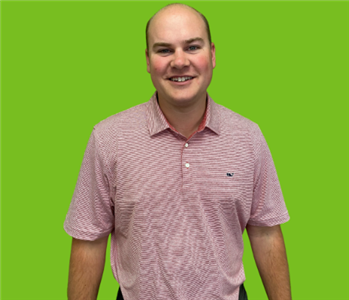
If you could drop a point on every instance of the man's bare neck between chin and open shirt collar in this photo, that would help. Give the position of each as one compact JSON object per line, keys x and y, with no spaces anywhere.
{"x":185,"y":119}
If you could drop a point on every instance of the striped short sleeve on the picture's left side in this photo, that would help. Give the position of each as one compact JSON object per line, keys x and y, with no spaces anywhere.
{"x":91,"y":213}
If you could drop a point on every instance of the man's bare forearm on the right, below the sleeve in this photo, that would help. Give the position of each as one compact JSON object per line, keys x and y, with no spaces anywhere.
{"x":270,"y":255}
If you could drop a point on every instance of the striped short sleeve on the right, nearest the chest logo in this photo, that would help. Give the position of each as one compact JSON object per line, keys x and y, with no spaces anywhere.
{"x":268,"y":205}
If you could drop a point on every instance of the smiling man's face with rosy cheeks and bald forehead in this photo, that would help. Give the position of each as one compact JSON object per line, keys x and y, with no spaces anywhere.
{"x":179,"y":47}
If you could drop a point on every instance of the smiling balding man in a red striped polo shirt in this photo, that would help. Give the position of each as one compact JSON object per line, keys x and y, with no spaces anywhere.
{"x":176,"y":181}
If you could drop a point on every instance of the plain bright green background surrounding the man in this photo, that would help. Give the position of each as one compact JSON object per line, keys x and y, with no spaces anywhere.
{"x":66,"y":65}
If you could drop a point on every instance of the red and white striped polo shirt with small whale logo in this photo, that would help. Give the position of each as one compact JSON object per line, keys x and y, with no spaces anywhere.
{"x":176,"y":208}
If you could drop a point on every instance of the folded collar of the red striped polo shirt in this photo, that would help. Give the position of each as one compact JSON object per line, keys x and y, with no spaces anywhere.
{"x":157,"y":121}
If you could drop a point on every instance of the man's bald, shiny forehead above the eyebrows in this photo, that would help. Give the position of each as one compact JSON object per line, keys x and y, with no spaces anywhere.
{"x":176,"y":25}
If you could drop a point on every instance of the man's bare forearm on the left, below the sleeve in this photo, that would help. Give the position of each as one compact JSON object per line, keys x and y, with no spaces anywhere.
{"x":86,"y":268}
